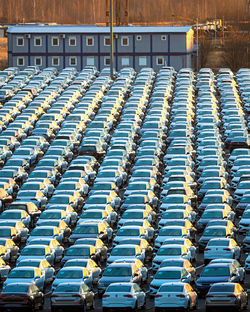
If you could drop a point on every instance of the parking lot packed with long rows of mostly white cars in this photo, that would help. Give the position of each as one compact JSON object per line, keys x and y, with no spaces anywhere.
{"x":143,"y":180}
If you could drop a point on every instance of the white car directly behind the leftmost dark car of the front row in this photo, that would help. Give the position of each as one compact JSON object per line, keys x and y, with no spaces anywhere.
{"x":26,"y":274}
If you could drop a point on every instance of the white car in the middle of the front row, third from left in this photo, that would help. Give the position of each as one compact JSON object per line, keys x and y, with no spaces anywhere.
{"x":123,"y":295}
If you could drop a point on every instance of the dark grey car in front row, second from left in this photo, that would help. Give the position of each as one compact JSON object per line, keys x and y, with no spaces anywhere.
{"x":72,"y":295}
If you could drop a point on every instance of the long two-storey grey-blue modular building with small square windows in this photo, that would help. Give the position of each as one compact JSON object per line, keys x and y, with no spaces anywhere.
{"x":79,"y":45}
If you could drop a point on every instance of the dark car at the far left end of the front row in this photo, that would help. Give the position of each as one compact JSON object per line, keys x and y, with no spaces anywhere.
{"x":21,"y":295}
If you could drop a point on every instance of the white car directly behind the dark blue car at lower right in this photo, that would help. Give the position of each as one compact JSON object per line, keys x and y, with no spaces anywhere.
{"x":224,"y":247}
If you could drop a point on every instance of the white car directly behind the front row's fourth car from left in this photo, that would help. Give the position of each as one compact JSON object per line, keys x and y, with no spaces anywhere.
{"x":168,"y":275}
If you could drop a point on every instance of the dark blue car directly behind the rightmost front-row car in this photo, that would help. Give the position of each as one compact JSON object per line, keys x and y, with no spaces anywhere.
{"x":216,"y":273}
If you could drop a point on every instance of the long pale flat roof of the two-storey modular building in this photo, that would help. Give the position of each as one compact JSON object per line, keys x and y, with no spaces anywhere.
{"x":45,"y":29}
